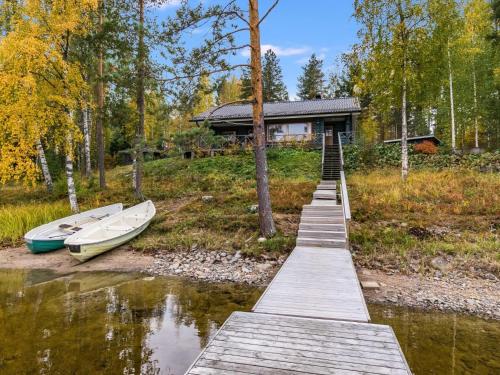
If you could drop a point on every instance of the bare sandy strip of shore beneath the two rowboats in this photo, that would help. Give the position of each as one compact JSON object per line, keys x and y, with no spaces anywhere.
{"x":60,"y":261}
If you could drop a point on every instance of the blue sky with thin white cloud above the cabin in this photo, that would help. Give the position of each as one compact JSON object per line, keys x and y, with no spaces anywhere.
{"x":296,"y":29}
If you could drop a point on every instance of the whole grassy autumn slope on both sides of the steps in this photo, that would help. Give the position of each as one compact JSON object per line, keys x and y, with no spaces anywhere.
{"x":450,"y":213}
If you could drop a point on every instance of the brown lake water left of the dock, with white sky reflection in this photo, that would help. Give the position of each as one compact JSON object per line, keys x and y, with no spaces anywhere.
{"x":93,"y":323}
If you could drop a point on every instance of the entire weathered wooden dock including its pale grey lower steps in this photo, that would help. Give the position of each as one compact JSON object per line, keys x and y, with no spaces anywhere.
{"x":312,"y":318}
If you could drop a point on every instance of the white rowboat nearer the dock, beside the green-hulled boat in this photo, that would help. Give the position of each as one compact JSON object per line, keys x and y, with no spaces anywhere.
{"x":110,"y":232}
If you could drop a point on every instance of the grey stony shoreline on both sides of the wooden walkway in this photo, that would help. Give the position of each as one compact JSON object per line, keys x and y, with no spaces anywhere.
{"x":453,"y":292}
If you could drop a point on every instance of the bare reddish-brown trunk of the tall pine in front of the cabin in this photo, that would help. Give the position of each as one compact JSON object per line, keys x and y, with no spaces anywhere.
{"x":266,"y":221}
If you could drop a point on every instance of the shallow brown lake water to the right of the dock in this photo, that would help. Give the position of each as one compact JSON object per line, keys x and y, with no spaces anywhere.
{"x":436,"y":343}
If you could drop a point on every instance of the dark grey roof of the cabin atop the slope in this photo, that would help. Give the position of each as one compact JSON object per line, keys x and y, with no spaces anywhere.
{"x":323,"y":107}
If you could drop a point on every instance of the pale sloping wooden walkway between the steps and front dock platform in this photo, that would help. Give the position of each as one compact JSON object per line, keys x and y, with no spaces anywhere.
{"x":308,"y":270}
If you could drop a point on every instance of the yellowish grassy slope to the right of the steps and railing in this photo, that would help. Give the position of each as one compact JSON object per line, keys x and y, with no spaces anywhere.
{"x":448,"y":213}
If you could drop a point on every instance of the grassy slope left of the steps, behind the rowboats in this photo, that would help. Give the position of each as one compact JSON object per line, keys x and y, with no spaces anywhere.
{"x":176,"y":186}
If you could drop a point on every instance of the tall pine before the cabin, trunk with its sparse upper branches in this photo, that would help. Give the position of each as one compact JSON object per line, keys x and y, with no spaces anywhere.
{"x":226,"y":21}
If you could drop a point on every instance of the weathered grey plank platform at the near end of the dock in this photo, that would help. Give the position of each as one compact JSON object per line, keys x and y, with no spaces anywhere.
{"x":232,"y":352}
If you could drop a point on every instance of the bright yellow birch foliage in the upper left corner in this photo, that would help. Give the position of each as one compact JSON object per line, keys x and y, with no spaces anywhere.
{"x":40,"y":84}
